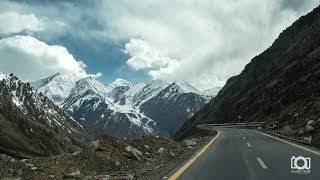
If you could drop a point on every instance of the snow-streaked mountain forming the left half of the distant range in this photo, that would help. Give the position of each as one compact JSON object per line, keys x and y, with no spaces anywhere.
{"x":89,"y":102}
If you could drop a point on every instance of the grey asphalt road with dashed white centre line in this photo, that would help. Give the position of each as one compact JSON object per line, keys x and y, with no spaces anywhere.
{"x":243,"y":154}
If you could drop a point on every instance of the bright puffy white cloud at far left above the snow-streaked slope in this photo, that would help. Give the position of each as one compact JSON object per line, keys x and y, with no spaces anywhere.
{"x":31,"y":59}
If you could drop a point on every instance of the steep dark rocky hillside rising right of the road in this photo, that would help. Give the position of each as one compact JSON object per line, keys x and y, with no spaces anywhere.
{"x":280,"y":86}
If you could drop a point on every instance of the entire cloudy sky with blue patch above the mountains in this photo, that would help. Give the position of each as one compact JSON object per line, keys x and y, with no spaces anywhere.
{"x":202,"y":42}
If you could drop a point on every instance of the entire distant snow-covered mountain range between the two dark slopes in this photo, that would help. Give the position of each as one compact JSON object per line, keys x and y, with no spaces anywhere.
{"x":123,"y":109}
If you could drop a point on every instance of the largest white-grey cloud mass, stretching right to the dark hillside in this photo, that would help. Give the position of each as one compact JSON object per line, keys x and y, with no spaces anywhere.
{"x":204,"y":42}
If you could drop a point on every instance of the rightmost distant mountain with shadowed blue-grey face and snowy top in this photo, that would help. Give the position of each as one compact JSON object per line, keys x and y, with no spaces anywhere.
{"x":172,"y":106}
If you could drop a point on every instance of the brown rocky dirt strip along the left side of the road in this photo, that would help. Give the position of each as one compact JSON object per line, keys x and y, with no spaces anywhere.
{"x":112,"y":158}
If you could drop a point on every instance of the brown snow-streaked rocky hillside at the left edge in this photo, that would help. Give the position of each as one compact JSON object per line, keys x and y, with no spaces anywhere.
{"x":30,"y":124}
